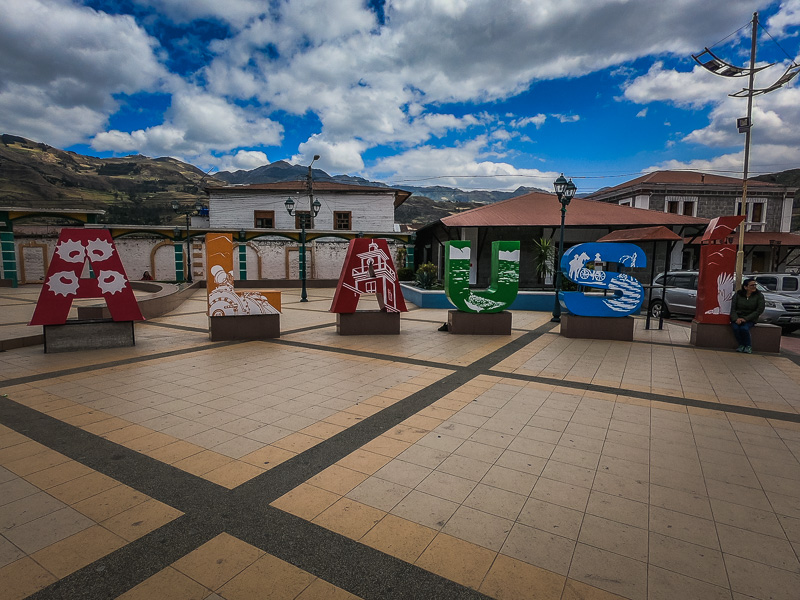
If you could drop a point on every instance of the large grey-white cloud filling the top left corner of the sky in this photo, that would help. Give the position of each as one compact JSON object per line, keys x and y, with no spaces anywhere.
{"x":60,"y":66}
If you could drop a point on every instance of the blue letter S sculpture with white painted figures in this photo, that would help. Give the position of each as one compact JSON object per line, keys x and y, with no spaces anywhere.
{"x":628,"y":292}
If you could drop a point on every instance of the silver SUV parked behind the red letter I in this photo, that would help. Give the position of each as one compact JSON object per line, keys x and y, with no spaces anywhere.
{"x":681,"y":299}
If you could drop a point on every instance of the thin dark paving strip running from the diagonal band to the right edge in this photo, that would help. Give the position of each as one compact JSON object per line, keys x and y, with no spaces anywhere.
{"x":718,"y":406}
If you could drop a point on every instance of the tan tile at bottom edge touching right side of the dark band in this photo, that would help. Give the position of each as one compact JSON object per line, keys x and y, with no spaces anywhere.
{"x":511,"y":579}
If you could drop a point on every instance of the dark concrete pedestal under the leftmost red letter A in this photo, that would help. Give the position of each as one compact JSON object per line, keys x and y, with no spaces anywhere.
{"x":88,"y":335}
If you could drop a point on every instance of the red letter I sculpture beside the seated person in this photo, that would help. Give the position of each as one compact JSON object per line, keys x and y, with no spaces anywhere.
{"x":717,"y":265}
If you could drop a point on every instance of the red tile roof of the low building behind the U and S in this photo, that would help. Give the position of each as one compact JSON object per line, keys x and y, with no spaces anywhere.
{"x":539,"y":209}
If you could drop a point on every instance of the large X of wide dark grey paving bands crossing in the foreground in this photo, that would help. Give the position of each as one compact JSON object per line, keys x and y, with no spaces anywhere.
{"x":359,"y":569}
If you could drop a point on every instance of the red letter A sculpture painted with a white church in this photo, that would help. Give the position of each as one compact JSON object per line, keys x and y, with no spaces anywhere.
{"x":368,"y":269}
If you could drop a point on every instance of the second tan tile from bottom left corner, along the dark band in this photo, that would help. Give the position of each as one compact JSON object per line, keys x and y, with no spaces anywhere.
{"x":77,"y":551}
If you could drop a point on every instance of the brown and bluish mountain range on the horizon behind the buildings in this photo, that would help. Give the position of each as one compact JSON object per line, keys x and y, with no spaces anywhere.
{"x":137,"y":189}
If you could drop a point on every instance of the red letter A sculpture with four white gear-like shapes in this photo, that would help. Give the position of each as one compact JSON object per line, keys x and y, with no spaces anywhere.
{"x":63,"y":282}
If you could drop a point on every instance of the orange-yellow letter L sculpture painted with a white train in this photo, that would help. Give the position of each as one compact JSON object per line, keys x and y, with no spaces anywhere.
{"x":223,"y":299}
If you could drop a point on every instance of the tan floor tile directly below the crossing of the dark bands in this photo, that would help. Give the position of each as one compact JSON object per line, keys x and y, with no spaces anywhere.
{"x":218,"y":561}
